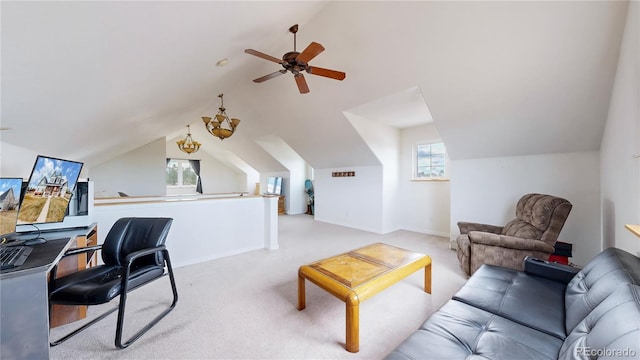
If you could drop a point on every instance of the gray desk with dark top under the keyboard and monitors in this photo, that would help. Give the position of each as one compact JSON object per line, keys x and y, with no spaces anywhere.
{"x":24,"y":300}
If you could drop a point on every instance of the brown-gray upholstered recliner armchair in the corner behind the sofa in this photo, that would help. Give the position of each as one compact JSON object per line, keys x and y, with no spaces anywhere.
{"x":534,"y":232}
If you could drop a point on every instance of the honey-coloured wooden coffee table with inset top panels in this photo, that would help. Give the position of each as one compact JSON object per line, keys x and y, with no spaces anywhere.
{"x":358,"y":275}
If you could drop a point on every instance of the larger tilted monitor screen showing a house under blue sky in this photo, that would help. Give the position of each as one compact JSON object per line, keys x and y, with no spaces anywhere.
{"x":49,"y":190}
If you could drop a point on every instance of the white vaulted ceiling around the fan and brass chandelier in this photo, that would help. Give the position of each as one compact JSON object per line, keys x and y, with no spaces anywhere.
{"x":92,"y":80}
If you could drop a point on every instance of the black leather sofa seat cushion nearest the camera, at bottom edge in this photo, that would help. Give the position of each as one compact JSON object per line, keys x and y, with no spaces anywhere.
{"x":461,"y":331}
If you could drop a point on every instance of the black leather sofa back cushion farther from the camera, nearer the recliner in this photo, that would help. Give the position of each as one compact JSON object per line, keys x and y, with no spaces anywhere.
{"x":599,"y":278}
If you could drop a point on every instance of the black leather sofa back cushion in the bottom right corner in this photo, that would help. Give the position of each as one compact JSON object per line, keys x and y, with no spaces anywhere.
{"x":611,"y":330}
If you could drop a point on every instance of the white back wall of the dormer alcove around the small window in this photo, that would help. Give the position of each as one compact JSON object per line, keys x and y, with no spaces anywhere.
{"x":424,"y":206}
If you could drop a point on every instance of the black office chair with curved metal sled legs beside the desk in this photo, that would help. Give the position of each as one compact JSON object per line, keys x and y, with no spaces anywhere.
{"x":134,"y":255}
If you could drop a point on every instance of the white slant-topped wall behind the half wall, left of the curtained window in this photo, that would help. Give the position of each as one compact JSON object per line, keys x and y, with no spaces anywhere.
{"x":140,"y":172}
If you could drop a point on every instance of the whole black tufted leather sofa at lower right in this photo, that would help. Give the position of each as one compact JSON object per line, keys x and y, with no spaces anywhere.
{"x":547,"y":311}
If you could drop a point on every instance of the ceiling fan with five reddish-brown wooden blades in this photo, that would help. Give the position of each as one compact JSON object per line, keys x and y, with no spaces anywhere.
{"x":297,"y":63}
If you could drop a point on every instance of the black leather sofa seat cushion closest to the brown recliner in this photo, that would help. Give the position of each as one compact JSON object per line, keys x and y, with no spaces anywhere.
{"x":529,"y":300}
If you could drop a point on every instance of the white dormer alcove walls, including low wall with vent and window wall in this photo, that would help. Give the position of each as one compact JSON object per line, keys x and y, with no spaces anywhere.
{"x":384,"y":199}
